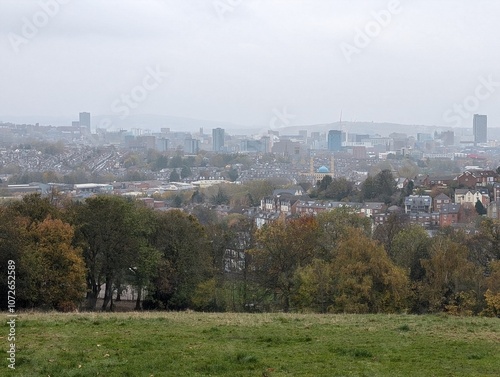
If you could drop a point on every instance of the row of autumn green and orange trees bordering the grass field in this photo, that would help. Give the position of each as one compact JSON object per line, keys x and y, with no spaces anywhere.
{"x":66,"y":255}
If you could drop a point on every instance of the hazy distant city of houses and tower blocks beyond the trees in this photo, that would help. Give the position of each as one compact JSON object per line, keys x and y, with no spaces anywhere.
{"x":139,"y":162}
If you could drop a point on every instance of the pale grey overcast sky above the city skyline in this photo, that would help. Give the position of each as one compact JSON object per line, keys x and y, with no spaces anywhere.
{"x":432,"y":62}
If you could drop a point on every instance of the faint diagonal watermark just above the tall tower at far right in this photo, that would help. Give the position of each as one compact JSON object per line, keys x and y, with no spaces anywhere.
{"x":470,"y":104}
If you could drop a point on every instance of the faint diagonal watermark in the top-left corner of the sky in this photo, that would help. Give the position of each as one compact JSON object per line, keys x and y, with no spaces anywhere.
{"x":31,"y":26}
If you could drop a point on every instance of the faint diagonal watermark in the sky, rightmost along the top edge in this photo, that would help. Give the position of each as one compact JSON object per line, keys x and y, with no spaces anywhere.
{"x":373,"y":28}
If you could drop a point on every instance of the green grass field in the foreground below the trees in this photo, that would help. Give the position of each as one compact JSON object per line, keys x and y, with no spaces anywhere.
{"x":200,"y":344}
